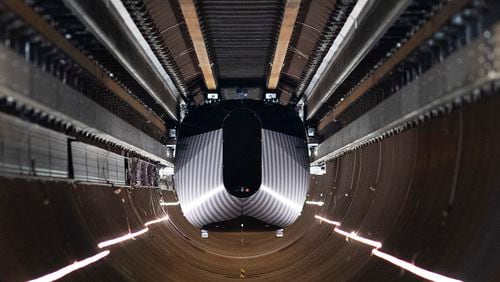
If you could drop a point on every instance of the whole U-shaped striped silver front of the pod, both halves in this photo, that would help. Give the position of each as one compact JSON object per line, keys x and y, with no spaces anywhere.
{"x":201,"y":191}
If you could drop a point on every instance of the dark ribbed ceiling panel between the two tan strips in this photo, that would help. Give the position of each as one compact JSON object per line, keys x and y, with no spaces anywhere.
{"x":241,"y":37}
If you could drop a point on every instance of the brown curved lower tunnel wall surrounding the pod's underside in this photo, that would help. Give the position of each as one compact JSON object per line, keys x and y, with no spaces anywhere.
{"x":429,"y":194}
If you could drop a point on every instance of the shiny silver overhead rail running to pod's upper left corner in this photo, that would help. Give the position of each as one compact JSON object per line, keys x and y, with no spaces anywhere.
{"x":110,"y":22}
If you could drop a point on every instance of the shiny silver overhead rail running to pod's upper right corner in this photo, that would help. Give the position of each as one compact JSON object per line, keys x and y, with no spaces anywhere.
{"x":368,"y":22}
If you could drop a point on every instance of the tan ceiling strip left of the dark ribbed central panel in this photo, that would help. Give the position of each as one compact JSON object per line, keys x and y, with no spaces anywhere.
{"x":193,"y":24}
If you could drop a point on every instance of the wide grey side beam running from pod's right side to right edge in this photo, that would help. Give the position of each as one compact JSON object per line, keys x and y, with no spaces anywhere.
{"x":476,"y":68}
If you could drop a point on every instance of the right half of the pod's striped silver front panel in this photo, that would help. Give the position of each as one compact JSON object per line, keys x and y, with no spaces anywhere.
{"x":285,"y":179}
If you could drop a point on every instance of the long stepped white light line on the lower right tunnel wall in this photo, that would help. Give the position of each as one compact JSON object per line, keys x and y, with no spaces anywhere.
{"x":429,"y":275}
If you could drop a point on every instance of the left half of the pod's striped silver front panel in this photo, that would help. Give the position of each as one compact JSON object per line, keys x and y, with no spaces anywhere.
{"x":199,"y":181}
